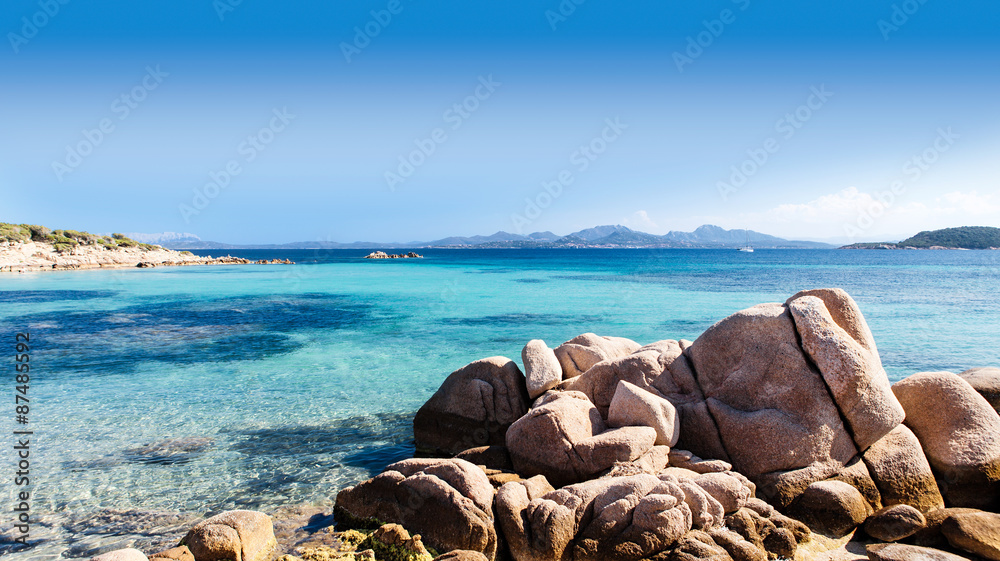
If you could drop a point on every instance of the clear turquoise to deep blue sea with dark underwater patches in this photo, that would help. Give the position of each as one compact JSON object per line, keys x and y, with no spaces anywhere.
{"x":188,"y":390}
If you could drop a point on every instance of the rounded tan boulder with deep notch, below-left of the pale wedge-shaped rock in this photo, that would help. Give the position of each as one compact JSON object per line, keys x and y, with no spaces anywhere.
{"x":565,"y":439}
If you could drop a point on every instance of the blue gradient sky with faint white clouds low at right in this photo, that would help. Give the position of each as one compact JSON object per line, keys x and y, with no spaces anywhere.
{"x":249,"y":121}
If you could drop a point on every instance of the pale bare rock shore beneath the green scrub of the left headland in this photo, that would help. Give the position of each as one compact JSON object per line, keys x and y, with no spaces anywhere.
{"x":31,"y":256}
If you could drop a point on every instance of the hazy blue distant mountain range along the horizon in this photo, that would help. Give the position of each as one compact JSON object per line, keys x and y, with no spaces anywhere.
{"x":705,"y":237}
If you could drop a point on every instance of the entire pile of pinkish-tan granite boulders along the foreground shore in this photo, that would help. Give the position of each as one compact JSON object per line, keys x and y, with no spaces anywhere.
{"x":775,"y":435}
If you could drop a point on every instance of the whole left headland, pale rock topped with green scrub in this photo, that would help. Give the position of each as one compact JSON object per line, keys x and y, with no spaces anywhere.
{"x":28,"y":247}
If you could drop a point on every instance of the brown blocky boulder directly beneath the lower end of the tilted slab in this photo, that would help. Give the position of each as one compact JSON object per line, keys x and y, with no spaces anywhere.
{"x":901,"y":472}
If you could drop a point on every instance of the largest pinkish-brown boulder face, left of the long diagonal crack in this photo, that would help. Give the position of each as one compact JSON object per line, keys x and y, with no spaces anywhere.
{"x":772,"y":407}
